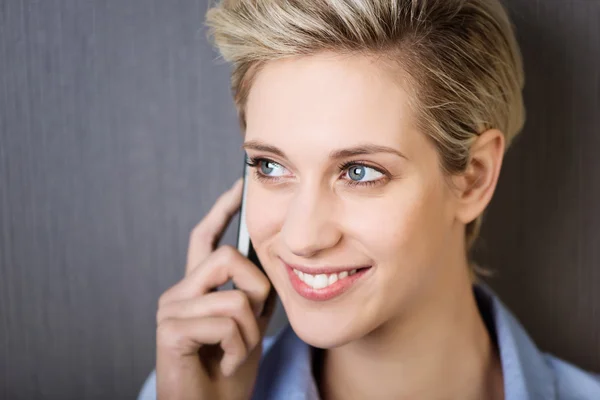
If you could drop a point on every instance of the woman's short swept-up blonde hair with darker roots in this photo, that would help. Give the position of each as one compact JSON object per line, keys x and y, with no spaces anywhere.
{"x":460,"y":58}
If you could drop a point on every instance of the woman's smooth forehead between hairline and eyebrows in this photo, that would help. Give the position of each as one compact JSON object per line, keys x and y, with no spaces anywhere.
{"x":339,"y":100}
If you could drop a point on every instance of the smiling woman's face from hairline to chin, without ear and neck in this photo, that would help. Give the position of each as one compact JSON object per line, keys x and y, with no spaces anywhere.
{"x":386,"y":206}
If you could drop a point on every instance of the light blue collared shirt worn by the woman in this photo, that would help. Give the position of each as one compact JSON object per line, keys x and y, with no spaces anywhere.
{"x":285,"y":370}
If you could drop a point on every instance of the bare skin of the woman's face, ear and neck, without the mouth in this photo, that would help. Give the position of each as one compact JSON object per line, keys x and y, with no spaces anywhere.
{"x":410,"y":328}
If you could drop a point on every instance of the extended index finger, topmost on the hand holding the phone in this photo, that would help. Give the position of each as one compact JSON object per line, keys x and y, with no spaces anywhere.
{"x":206,"y":234}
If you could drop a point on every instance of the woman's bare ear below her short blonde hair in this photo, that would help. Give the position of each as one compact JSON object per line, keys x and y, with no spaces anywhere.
{"x":475,"y":187}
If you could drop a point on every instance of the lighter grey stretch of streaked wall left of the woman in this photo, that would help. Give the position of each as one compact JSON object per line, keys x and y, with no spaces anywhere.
{"x":117,"y":135}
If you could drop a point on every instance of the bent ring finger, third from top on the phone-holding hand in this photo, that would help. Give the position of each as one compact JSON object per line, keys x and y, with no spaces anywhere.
{"x":227,"y":303}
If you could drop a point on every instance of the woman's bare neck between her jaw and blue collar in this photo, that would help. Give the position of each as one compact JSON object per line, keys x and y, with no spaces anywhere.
{"x":441,"y":351}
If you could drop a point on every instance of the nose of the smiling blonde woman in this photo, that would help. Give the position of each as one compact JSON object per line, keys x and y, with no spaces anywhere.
{"x":310,"y":225}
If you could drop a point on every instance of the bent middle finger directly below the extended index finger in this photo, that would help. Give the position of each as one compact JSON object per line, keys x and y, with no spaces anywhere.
{"x":224,"y":264}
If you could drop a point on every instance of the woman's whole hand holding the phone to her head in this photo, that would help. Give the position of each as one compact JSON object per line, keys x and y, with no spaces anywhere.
{"x":208,"y":342}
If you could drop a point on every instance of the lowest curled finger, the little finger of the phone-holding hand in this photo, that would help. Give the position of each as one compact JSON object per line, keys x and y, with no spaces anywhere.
{"x":182,"y":338}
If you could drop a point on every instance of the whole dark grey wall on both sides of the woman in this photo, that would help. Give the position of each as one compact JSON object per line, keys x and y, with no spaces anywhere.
{"x":117,"y":133}
